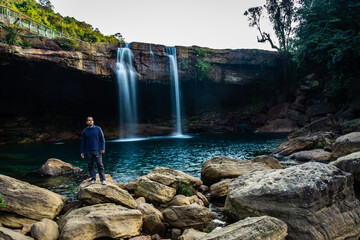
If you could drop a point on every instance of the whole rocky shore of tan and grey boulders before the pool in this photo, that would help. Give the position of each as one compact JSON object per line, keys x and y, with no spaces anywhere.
{"x":261,"y":200}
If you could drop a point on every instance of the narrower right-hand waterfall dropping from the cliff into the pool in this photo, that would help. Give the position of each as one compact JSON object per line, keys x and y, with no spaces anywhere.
{"x":171,"y":52}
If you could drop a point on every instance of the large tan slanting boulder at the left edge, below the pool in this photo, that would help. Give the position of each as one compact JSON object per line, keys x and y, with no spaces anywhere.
{"x":35,"y":202}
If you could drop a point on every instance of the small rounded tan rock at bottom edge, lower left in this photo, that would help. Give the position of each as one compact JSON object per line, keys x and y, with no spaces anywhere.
{"x":46,"y":229}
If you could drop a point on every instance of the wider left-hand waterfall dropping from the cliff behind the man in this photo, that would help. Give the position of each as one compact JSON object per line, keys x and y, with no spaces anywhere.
{"x":126,"y":78}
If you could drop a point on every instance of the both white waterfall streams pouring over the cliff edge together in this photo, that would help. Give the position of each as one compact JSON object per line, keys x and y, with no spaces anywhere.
{"x":127,"y":80}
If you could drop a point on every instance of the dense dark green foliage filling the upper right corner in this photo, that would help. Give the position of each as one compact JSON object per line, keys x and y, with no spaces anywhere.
{"x":328,"y":43}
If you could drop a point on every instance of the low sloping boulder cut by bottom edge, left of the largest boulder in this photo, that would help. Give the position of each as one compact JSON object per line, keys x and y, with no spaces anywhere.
{"x":264,"y":227}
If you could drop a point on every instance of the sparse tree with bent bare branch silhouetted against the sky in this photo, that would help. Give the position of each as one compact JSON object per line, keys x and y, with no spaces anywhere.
{"x":281,"y":15}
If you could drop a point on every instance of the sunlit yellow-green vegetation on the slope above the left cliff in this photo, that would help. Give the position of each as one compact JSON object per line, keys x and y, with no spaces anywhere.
{"x":43,"y":12}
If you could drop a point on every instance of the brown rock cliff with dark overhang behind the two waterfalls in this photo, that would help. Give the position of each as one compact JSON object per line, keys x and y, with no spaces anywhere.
{"x":52,"y":87}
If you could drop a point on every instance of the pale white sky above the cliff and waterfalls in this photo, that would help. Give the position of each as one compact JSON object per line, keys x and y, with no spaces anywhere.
{"x":217,"y":24}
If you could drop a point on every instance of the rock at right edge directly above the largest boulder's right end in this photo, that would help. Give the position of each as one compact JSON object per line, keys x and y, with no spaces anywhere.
{"x":349,"y":163}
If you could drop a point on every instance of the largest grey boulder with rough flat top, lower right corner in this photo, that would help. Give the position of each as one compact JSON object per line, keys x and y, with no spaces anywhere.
{"x":315,"y":200}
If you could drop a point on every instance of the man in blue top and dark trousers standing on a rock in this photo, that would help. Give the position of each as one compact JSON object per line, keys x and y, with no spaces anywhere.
{"x":92,"y":148}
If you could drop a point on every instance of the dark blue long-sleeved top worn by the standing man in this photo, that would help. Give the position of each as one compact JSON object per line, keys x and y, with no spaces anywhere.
{"x":92,"y":139}
